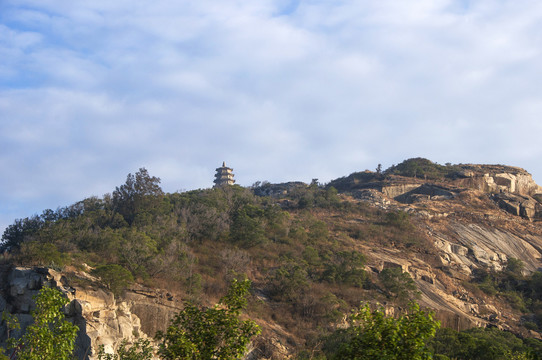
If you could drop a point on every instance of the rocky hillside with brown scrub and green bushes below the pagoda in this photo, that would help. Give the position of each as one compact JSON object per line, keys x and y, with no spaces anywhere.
{"x":462,"y":240}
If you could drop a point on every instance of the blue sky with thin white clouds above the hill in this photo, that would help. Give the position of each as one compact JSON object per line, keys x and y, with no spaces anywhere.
{"x":281,"y":90}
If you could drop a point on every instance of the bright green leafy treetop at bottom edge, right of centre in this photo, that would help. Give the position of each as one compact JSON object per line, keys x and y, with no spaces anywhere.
{"x":373,"y":335}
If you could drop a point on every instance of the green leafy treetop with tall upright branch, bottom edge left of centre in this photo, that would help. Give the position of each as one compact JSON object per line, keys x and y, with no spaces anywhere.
{"x":210,"y":333}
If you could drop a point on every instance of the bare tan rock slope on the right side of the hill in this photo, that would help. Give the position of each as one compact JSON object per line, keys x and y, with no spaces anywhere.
{"x":476,"y":221}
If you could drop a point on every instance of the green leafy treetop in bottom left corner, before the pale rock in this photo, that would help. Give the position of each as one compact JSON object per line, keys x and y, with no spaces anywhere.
{"x":51,"y":336}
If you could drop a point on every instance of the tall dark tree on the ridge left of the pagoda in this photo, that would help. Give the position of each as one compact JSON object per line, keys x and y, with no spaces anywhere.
{"x":140,"y":192}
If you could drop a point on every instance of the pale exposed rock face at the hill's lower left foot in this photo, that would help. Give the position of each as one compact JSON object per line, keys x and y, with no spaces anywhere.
{"x":102,"y":319}
